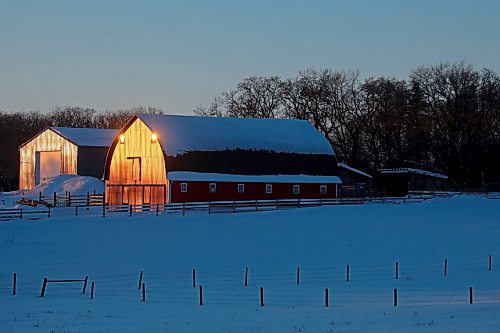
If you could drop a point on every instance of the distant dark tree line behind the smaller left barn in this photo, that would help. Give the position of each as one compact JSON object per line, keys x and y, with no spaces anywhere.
{"x":18,"y":127}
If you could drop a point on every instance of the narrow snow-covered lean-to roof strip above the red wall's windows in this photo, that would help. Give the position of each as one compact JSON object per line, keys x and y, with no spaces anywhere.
{"x":219,"y":177}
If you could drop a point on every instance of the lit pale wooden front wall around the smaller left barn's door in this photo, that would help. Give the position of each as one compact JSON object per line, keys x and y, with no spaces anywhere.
{"x":46,"y":141}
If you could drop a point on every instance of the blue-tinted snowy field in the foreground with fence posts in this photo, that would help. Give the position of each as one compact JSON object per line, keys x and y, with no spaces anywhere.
{"x":370,"y":238}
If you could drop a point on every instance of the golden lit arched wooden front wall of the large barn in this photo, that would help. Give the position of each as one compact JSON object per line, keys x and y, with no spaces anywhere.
{"x":137,"y":145}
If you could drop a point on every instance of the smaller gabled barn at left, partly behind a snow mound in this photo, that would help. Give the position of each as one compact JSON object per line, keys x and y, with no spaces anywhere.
{"x":63,"y":150}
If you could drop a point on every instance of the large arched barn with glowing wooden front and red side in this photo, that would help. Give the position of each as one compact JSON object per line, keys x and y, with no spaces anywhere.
{"x":170,"y":158}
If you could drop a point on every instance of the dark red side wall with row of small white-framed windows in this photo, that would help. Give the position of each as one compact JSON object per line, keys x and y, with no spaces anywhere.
{"x":199,"y":191}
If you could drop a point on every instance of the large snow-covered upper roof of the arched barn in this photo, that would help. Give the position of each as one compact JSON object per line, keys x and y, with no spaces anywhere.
{"x":181,"y":134}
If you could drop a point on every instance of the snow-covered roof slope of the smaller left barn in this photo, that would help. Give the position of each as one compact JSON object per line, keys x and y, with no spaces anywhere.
{"x":87,"y":137}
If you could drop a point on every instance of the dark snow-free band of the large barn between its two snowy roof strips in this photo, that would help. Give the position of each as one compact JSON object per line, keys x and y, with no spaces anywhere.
{"x":253,"y":162}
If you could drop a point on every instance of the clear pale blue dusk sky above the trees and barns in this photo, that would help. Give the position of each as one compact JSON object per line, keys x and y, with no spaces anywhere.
{"x":178,"y":54}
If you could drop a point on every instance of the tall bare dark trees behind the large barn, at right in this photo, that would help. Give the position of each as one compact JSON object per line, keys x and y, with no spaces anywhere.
{"x":444,"y":117}
